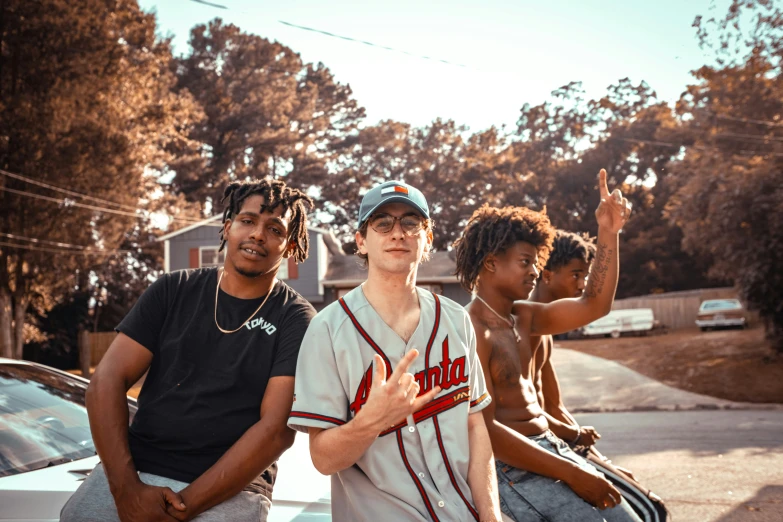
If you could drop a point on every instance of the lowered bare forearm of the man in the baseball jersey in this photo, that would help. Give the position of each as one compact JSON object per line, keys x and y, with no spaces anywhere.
{"x":482,"y":478}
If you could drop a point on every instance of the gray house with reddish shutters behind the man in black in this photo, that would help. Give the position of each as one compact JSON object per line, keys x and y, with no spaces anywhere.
{"x":197,"y":245}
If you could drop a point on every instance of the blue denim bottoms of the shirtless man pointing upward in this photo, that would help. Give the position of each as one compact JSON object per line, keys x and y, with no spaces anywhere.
{"x":528,"y":497}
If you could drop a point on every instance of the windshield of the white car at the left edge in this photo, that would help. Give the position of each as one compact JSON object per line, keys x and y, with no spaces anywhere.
{"x":43,"y":419}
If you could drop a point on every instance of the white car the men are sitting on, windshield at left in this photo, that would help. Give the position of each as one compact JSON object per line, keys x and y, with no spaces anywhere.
{"x":46,"y":450}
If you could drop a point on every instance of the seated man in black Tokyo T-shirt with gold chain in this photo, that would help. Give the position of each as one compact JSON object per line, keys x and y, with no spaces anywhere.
{"x":221,"y":346}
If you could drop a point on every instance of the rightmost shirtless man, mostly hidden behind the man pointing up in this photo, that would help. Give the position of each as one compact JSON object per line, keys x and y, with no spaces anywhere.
{"x":564,"y":277}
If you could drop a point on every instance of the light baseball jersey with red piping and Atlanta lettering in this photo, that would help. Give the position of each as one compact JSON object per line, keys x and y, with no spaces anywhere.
{"x":410,"y":472}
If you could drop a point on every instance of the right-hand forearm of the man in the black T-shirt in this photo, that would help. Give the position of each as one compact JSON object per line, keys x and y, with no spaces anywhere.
{"x":257,"y":449}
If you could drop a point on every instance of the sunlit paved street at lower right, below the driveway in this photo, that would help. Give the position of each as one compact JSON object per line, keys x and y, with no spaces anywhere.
{"x":708,"y":466}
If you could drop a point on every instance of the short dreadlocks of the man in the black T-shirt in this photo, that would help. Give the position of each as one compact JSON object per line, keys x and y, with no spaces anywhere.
{"x":275,"y":193}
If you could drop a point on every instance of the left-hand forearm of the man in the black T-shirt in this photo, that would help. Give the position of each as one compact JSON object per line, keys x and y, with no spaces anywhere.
{"x":107,"y":408}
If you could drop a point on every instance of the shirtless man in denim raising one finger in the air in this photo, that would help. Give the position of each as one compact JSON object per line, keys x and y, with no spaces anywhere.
{"x":498,"y":256}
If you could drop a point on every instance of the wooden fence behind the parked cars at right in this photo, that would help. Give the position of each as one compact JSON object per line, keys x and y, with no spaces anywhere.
{"x":677,"y":309}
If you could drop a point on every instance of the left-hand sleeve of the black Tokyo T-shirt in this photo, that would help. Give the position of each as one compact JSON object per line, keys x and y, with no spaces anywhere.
{"x":145,"y":320}
